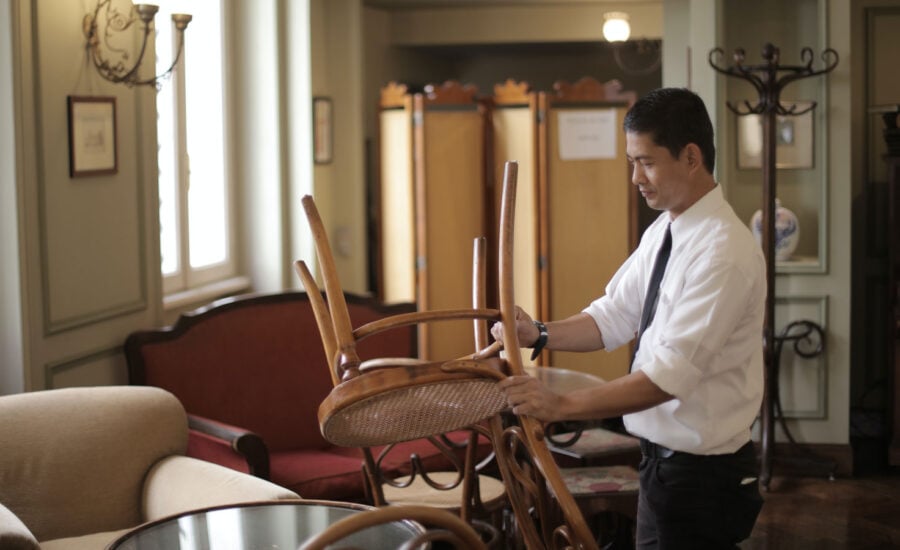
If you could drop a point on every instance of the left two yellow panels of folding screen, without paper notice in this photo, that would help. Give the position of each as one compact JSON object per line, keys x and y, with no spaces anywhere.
{"x":433,"y":204}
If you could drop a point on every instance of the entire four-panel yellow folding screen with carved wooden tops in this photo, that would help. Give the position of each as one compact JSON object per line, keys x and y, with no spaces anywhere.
{"x":576,"y":219}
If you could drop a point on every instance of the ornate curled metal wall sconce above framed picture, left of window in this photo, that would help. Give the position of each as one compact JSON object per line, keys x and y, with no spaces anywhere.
{"x":114,"y":21}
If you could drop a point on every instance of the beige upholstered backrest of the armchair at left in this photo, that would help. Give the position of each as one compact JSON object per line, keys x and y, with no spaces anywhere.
{"x":73,"y":460}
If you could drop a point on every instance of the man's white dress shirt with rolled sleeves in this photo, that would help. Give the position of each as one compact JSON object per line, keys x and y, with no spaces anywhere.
{"x":705,"y":344}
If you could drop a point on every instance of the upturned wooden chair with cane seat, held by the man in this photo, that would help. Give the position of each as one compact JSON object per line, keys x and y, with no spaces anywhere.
{"x":371,"y":402}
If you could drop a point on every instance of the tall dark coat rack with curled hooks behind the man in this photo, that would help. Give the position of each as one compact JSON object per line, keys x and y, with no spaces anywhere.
{"x":769,"y":79}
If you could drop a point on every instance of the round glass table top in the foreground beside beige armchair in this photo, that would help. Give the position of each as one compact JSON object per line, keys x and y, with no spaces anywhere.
{"x":284,"y":524}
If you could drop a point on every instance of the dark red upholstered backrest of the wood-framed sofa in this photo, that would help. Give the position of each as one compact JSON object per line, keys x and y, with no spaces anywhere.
{"x":254,"y":361}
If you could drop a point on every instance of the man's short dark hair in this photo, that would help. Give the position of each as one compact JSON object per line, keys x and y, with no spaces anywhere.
{"x":674,"y":117}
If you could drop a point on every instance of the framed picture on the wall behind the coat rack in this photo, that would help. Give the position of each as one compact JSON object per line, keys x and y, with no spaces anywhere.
{"x":794,"y":139}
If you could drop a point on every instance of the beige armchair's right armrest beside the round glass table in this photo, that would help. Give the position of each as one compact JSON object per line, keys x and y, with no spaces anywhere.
{"x":179,"y":483}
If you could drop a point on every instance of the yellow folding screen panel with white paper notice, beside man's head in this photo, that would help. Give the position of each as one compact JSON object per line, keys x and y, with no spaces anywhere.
{"x":591,"y":213}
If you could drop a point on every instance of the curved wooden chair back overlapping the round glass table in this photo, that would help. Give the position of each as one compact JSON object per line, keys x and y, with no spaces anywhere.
{"x":439,"y":525}
